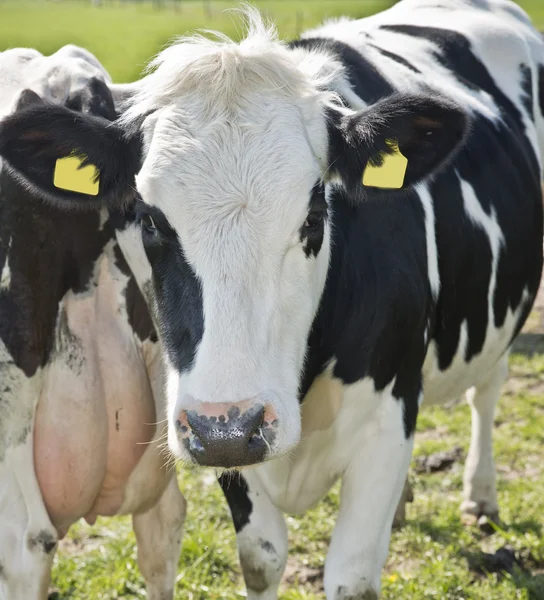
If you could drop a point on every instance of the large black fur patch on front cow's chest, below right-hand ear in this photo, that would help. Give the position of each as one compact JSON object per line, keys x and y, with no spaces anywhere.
{"x":376,"y":301}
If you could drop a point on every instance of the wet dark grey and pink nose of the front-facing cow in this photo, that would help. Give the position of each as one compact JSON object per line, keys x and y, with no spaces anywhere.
{"x":227,"y":435}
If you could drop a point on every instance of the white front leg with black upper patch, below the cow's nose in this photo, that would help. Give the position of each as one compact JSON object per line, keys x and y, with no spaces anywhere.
{"x":261,"y":535}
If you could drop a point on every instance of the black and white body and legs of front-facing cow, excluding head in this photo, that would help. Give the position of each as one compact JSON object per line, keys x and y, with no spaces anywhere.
{"x":423,"y":298}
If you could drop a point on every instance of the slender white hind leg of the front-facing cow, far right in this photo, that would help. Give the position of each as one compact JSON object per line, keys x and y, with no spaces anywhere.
{"x":479,"y":486}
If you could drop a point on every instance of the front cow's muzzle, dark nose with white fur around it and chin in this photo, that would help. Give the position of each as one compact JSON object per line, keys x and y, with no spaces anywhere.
{"x":232,"y":435}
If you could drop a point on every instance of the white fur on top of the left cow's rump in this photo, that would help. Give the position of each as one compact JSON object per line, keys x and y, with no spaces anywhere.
{"x":51,"y":77}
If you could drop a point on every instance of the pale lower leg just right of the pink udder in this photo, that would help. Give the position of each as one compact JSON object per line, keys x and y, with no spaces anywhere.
{"x":158,"y":535}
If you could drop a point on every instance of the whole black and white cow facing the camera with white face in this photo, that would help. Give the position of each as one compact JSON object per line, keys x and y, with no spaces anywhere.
{"x":339,"y":229}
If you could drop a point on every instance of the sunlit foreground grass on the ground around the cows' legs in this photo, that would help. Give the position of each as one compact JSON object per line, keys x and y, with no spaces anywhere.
{"x":429,"y":558}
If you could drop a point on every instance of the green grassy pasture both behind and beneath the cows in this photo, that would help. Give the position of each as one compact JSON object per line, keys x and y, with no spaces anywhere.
{"x":434,"y":556}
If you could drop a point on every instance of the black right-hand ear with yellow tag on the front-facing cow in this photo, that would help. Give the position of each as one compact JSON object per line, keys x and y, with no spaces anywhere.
{"x":395,"y":143}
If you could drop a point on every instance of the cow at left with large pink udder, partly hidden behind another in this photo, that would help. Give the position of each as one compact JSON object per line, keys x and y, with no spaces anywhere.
{"x":81,"y":380}
